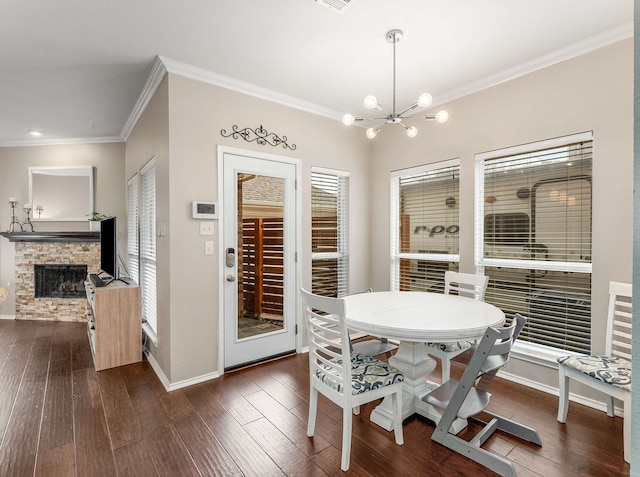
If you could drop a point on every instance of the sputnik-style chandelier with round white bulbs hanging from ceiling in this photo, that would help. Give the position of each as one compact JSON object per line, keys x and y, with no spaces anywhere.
{"x":370,"y":102}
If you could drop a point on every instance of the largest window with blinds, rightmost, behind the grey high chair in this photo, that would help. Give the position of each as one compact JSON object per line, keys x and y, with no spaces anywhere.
{"x":533,"y":237}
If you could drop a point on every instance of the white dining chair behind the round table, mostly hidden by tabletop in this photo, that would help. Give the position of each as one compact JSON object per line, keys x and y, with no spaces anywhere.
{"x":463,"y":284}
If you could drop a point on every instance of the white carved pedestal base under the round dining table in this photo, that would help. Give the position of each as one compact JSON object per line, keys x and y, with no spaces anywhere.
{"x":415,"y":364}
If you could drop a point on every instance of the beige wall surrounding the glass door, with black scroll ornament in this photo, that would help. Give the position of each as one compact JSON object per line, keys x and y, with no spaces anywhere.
{"x":188,"y":281}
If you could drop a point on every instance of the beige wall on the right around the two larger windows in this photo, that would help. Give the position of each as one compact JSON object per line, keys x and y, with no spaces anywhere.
{"x":593,"y":92}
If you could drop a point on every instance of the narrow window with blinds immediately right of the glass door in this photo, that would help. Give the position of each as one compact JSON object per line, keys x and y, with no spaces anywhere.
{"x":329,"y":232}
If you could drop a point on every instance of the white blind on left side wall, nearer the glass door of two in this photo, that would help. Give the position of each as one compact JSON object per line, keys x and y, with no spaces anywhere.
{"x":148,"y":245}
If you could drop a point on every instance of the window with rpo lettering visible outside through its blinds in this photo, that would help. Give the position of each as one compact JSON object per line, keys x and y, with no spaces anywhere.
{"x":425,"y":225}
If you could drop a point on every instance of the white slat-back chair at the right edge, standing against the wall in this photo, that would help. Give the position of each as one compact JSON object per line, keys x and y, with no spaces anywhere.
{"x":611,"y":372}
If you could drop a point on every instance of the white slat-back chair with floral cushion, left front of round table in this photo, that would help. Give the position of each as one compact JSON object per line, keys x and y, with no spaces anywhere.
{"x":363,"y":380}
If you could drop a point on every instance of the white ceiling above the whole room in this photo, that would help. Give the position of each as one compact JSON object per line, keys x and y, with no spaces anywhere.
{"x":74,"y":69}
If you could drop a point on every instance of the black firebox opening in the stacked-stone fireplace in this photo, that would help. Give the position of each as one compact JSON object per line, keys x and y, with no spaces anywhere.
{"x":59,"y":281}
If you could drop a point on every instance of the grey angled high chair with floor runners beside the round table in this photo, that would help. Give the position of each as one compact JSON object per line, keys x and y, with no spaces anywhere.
{"x":468,"y":397}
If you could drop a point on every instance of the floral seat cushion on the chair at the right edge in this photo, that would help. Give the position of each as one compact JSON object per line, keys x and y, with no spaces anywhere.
{"x":608,"y":369}
